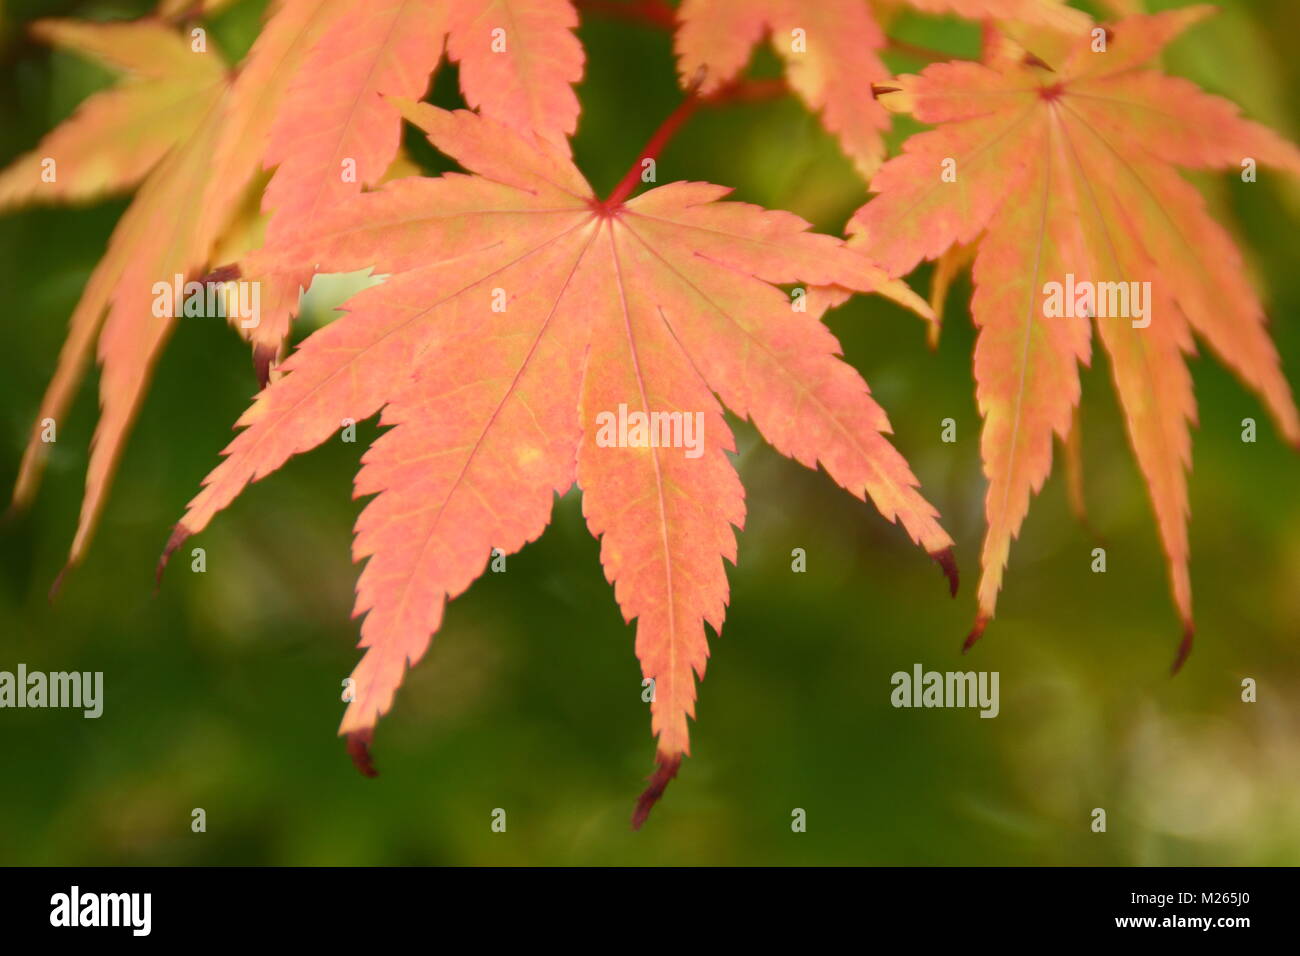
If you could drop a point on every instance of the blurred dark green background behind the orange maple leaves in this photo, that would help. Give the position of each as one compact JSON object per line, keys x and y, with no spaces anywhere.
{"x":223,"y":693}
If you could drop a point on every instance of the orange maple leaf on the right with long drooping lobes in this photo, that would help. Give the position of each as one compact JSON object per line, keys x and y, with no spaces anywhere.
{"x":1091,"y":141}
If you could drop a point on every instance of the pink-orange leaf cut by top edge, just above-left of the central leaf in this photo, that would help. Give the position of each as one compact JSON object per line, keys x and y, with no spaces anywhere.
{"x":337,"y":132}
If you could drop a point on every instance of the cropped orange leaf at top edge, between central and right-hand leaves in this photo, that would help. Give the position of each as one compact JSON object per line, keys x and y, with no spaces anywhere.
{"x":830,"y":50}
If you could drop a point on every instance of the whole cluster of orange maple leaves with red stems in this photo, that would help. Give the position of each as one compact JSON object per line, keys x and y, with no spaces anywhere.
{"x":519,"y":308}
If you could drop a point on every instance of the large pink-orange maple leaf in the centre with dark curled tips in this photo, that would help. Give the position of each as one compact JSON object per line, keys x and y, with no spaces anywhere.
{"x":523,"y":314}
